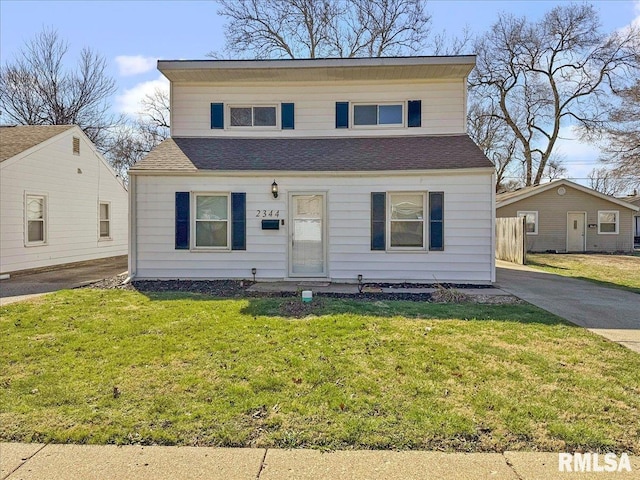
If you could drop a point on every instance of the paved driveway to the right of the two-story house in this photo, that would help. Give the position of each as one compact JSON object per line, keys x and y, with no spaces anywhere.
{"x":612,"y":313}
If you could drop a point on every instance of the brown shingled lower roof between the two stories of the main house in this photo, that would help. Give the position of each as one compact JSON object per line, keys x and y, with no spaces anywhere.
{"x":314,"y":154}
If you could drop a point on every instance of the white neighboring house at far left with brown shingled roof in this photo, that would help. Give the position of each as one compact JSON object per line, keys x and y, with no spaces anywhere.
{"x":60,"y":202}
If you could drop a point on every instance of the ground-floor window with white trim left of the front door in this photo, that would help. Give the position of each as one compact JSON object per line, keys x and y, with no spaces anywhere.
{"x":211,"y":220}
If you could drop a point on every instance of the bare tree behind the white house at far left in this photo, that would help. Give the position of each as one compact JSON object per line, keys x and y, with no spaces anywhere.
{"x":39,"y":89}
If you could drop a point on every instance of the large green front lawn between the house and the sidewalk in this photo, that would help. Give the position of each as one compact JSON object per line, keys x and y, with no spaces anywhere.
{"x":192,"y":370}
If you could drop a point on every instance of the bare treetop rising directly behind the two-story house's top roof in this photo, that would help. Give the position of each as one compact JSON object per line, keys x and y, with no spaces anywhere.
{"x":323,"y":28}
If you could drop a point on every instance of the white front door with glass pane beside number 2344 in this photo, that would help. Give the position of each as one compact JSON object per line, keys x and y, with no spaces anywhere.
{"x":307,"y":235}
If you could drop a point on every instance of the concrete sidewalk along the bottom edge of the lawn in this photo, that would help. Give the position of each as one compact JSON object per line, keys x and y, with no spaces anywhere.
{"x":94,"y":462}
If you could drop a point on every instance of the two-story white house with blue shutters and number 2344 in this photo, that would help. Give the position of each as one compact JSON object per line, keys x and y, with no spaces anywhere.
{"x":315,"y":169}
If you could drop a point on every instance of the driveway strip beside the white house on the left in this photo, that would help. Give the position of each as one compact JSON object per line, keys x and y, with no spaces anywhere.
{"x":22,"y":286}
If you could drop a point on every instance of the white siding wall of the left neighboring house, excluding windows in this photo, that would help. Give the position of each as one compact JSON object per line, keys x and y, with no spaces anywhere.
{"x":72,"y":199}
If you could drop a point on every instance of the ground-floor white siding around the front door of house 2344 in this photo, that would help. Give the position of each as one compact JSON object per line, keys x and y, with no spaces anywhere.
{"x":468,"y":228}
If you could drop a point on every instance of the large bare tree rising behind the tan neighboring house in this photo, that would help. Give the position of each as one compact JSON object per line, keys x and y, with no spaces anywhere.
{"x":542,"y":75}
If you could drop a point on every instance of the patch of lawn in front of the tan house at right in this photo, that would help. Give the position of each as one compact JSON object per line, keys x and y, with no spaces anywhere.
{"x":618,"y":271}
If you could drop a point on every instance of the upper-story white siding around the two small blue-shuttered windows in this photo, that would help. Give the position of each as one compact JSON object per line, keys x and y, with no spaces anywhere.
{"x":443,"y":107}
